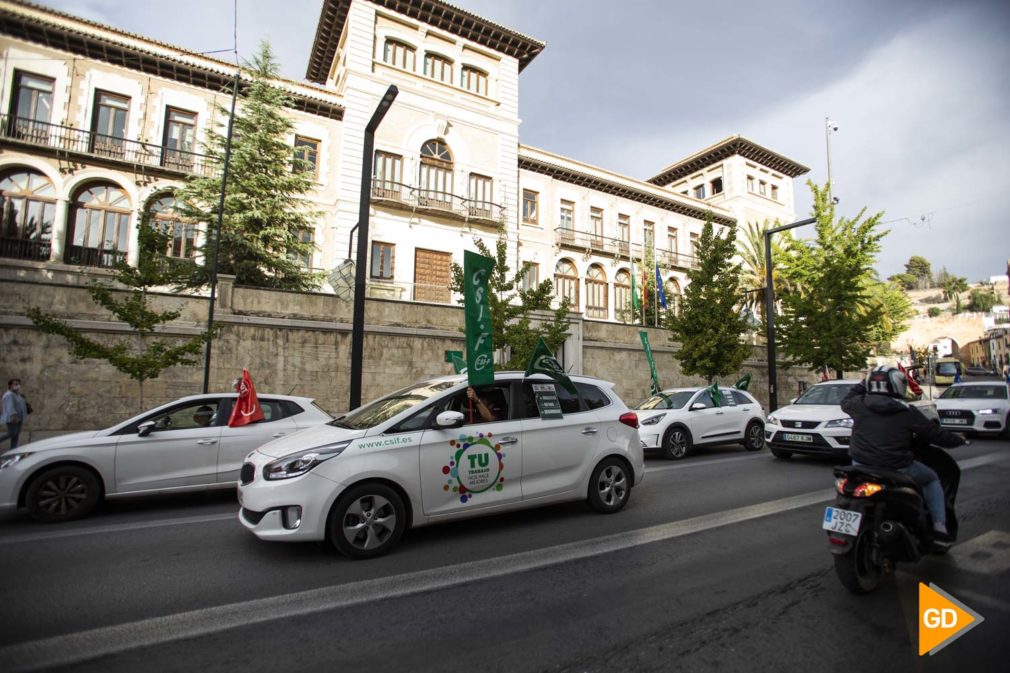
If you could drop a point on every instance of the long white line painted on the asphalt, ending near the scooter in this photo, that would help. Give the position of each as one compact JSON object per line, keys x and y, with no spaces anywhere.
{"x":108,"y":641}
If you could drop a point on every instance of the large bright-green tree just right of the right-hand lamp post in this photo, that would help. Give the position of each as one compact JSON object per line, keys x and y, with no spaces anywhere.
{"x":825,"y":323}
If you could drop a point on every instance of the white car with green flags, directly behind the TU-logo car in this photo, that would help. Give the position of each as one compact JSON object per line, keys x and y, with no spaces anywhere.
{"x":678,"y":420}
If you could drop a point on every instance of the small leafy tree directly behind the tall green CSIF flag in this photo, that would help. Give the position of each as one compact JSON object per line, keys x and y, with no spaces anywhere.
{"x":513,"y":330}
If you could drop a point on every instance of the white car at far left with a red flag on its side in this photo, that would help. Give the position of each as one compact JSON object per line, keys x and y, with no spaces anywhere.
{"x":183,"y":446}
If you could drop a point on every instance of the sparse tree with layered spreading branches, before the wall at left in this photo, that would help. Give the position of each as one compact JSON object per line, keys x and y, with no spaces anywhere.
{"x":141,"y":357}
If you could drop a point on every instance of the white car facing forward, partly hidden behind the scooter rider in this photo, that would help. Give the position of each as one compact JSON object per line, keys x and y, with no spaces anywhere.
{"x":815,"y":424}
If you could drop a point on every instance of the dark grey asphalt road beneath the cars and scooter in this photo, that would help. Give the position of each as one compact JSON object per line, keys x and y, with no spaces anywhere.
{"x":718,"y":563}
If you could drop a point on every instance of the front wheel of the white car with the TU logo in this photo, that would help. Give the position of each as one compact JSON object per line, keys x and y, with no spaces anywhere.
{"x":368,"y":521}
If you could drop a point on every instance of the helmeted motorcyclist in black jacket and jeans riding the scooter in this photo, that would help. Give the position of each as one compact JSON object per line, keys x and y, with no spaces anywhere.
{"x":883,"y":430}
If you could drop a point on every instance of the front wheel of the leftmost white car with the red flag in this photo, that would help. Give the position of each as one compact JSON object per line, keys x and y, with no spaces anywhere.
{"x":63,"y":495}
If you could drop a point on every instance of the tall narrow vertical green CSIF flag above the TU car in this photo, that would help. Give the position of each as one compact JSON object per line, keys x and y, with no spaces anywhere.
{"x":480,"y":350}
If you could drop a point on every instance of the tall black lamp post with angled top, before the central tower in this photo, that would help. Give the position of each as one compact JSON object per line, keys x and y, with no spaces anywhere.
{"x":364,"y":205}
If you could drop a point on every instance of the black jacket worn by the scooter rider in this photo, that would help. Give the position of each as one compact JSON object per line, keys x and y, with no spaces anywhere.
{"x":883,"y":429}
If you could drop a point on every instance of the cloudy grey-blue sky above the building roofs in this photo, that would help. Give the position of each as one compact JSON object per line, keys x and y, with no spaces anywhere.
{"x":918,"y":88}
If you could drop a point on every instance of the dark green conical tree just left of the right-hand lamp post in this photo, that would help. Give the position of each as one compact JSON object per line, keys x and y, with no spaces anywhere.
{"x":711,"y":323}
